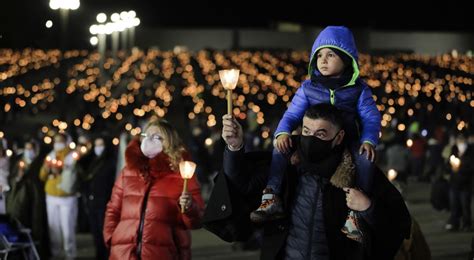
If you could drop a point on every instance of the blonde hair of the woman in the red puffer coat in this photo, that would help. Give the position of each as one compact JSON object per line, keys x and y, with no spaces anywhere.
{"x":172,"y":144}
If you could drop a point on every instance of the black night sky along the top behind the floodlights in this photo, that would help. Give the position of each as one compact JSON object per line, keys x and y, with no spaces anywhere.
{"x":22,"y":21}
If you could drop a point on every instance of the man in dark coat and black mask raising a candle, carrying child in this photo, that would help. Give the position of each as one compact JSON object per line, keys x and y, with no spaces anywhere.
{"x":307,"y":233}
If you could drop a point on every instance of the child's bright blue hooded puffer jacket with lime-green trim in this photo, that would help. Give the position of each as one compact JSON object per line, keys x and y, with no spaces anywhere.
{"x":354,"y":99}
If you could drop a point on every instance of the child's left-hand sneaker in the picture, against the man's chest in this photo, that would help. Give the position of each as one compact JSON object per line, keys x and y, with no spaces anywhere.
{"x":270,"y":208}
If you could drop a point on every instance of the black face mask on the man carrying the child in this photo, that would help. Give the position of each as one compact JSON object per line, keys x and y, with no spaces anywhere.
{"x":315,"y":150}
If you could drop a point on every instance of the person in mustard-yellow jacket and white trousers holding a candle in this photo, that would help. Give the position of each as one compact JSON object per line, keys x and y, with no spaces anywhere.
{"x":61,"y":205}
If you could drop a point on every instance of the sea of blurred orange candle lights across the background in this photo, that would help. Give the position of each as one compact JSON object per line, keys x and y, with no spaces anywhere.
{"x":145,"y":83}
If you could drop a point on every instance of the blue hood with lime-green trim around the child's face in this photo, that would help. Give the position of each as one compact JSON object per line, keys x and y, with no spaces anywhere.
{"x":341,"y":38}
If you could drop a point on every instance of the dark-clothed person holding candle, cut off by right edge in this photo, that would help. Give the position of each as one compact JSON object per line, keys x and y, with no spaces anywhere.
{"x":461,"y":165}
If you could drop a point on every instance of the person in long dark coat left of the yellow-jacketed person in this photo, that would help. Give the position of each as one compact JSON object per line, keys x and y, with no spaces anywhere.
{"x":26,"y":199}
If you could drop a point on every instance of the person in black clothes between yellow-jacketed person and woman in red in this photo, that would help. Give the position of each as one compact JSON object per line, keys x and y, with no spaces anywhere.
{"x":98,"y":177}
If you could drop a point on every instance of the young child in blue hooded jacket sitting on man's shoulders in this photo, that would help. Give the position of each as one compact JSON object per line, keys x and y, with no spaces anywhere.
{"x":334,"y":79}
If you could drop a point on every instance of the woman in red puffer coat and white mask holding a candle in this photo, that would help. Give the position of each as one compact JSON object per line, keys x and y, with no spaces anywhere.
{"x":143,"y":218}
